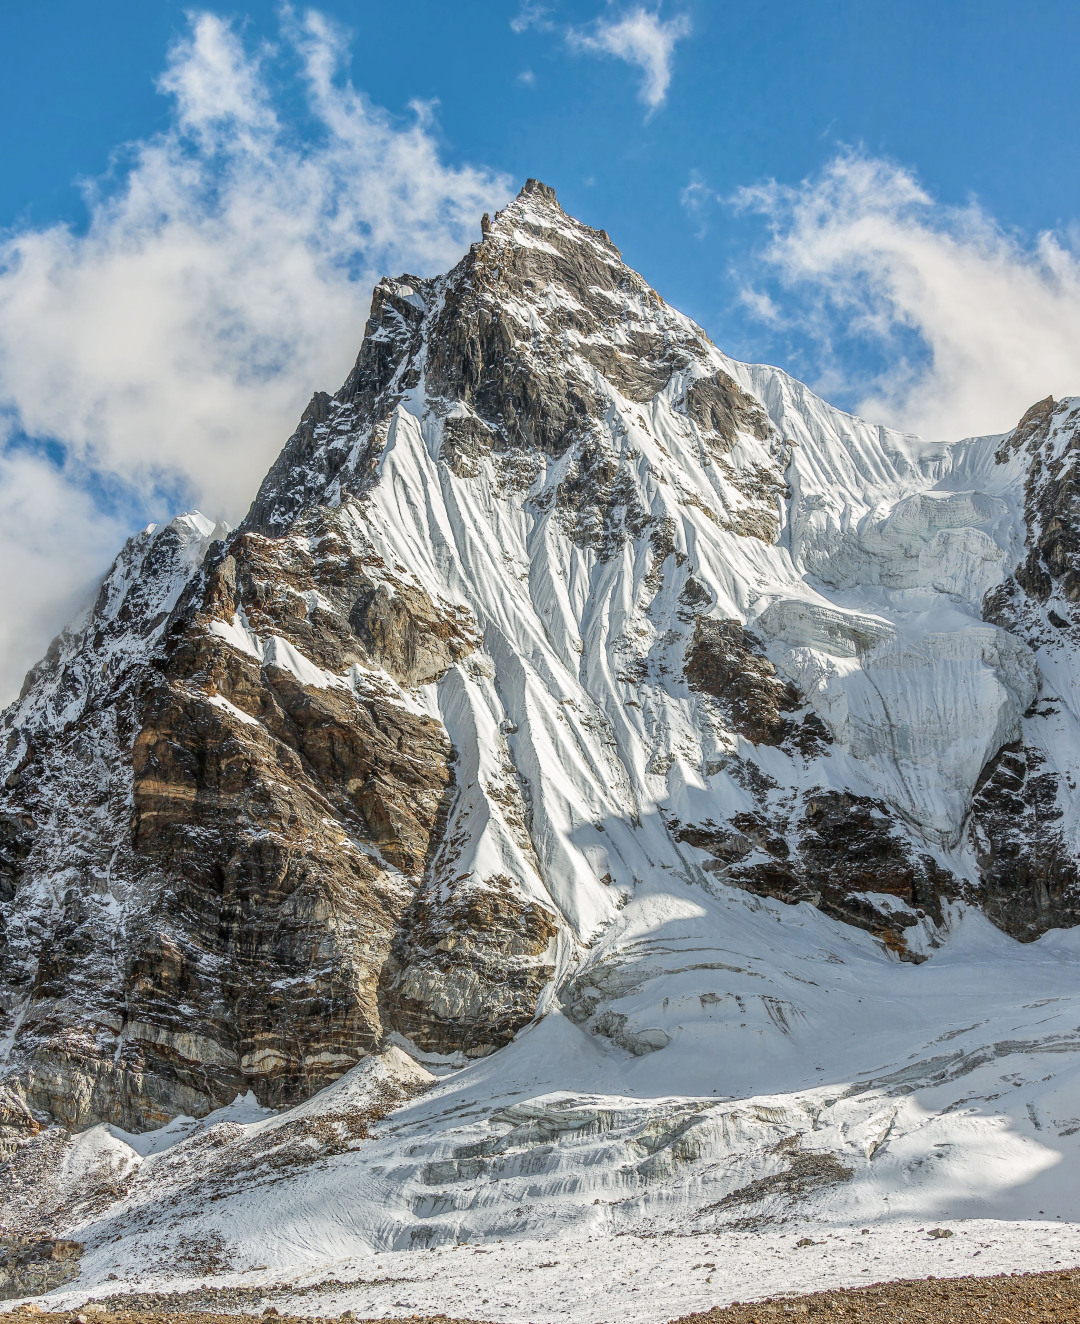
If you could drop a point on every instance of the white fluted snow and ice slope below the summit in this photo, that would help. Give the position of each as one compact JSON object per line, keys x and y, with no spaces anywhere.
{"x":869,"y":592}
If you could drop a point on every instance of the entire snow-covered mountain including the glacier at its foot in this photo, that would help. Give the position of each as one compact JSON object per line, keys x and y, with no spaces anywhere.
{"x":617,"y":730}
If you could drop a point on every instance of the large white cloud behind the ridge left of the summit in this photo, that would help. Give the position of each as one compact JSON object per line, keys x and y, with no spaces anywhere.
{"x":224,"y":276}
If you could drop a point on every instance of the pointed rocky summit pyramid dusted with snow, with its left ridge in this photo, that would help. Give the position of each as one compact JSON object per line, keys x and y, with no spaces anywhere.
{"x":525,"y":334}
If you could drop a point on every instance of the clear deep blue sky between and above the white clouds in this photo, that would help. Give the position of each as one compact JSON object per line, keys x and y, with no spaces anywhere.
{"x":976,"y":97}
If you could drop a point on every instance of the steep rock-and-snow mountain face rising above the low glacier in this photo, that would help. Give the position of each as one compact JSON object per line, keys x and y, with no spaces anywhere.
{"x":553,"y":627}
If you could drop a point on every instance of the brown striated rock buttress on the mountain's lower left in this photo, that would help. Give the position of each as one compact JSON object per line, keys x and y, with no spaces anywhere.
{"x":280,"y":819}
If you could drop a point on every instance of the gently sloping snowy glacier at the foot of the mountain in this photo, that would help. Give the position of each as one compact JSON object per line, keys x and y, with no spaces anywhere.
{"x":811,"y":1088}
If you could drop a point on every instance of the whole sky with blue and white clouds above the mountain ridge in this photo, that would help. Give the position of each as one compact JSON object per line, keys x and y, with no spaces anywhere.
{"x":881,"y":198}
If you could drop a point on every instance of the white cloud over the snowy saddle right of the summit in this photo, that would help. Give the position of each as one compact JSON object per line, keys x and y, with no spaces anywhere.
{"x":971,"y":324}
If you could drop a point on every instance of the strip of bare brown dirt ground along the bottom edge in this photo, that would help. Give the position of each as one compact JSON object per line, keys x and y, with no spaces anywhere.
{"x":1007,"y":1300}
